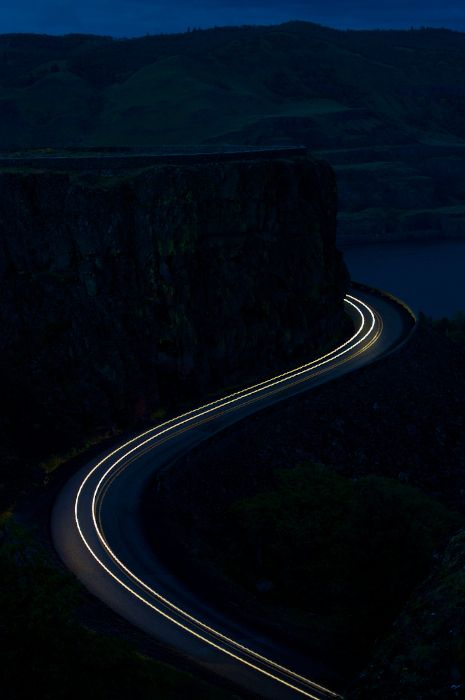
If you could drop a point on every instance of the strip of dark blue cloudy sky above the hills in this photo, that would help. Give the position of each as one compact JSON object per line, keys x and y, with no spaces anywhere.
{"x":136,"y":17}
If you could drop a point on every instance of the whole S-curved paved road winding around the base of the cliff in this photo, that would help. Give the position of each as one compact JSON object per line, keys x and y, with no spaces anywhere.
{"x":97,"y":532}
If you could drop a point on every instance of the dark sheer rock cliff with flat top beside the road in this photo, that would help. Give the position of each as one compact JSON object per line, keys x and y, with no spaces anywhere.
{"x":123,"y":293}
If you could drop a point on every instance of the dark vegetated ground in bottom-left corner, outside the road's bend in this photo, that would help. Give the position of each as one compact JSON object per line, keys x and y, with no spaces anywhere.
{"x":47,"y":653}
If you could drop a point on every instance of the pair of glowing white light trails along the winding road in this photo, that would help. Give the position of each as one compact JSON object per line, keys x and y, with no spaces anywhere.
{"x":120,"y":459}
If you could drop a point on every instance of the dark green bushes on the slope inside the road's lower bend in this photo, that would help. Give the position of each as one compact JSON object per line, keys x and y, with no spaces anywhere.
{"x":346,"y":552}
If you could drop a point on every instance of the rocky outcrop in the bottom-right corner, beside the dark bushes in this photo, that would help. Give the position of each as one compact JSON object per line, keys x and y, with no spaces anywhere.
{"x":423,"y":657}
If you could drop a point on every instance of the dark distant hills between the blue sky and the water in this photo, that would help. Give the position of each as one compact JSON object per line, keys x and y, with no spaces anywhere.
{"x":386,"y":108}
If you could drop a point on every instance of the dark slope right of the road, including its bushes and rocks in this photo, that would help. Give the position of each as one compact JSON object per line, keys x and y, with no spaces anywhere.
{"x":327,"y":514}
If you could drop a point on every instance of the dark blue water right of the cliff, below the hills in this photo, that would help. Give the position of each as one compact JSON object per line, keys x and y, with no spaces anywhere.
{"x":429,"y":276}
